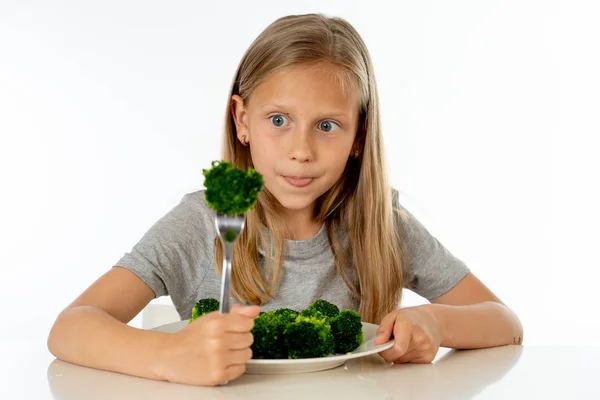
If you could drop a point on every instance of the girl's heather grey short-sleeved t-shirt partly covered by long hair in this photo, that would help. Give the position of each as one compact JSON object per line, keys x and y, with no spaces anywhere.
{"x":175,"y":257}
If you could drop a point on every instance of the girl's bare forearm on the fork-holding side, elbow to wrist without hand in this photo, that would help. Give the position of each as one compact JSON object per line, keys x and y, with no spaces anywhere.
{"x":91,"y":337}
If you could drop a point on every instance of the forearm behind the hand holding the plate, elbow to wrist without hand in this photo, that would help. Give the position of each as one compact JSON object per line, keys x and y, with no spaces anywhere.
{"x":486,"y":324}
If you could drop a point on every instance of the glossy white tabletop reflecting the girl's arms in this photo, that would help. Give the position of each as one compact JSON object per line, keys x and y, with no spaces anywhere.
{"x":29,"y":371}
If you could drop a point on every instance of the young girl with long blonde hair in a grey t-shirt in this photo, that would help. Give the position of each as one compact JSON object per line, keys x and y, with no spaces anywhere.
{"x":304,"y":113}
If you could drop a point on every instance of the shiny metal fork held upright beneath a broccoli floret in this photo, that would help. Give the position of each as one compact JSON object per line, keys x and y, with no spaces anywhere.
{"x":229,"y":229}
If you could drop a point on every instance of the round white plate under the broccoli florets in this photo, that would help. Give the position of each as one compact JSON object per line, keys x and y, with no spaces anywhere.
{"x":284,"y":366}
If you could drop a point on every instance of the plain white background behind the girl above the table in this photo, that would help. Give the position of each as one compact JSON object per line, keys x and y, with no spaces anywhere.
{"x":110,"y":110}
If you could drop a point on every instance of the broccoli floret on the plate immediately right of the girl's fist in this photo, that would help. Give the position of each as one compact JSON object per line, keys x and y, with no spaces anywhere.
{"x":268,"y":333}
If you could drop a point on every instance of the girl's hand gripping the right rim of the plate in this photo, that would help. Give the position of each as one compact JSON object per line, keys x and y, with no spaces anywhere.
{"x":416,"y":336}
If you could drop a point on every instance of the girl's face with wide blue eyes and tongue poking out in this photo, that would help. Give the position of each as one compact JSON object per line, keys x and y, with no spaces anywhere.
{"x":301,"y":126}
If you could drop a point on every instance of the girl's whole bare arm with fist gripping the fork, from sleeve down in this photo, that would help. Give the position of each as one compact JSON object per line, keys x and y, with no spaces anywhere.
{"x":93,"y":332}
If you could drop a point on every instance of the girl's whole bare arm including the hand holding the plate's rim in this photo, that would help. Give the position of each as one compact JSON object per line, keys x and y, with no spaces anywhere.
{"x":468,"y":316}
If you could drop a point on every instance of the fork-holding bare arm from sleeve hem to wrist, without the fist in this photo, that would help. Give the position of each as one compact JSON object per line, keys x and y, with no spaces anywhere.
{"x":92,"y":331}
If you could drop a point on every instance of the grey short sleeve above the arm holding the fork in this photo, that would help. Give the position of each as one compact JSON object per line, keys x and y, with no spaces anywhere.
{"x":170,"y":255}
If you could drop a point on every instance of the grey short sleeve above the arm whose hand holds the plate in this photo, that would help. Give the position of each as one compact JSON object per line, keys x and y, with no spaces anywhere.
{"x":432,"y":269}
